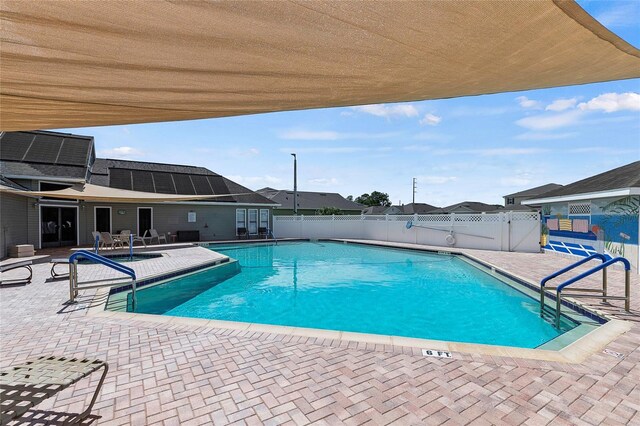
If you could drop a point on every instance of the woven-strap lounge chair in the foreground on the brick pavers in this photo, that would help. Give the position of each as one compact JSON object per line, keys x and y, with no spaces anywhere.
{"x":24,"y":386}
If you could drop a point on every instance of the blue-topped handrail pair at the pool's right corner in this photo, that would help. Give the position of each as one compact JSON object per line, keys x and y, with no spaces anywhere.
{"x":574,"y":292}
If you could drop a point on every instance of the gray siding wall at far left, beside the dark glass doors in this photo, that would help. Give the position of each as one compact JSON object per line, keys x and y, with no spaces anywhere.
{"x":15,"y":227}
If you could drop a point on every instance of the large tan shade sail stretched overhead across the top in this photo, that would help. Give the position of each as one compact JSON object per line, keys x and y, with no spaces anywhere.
{"x":69,"y":63}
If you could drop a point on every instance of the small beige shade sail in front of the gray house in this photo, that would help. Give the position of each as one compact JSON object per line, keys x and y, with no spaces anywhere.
{"x":89,"y":192}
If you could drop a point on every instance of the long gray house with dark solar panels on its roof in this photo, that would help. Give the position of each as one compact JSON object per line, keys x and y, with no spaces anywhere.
{"x":211,"y":207}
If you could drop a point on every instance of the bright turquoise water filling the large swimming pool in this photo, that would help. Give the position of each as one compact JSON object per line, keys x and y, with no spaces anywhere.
{"x":359,"y":288}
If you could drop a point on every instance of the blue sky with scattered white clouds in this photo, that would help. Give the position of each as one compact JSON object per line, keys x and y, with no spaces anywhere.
{"x":476,"y":148}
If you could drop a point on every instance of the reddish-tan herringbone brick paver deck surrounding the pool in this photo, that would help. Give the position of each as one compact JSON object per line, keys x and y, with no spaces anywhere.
{"x":178,"y":373}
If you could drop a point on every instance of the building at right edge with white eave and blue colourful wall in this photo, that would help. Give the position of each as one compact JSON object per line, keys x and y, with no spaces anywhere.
{"x":596,"y":214}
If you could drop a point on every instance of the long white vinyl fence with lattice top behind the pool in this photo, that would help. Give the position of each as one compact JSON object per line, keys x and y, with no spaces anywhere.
{"x":509,"y":231}
